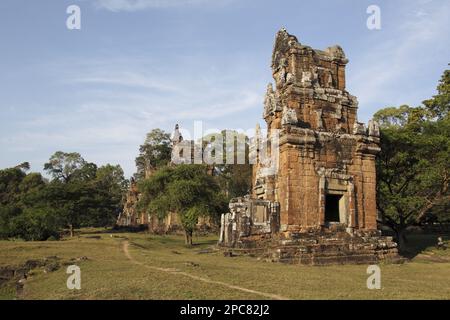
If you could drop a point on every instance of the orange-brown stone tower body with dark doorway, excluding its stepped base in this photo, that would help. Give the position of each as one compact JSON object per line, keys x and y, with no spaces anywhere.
{"x":326,"y":172}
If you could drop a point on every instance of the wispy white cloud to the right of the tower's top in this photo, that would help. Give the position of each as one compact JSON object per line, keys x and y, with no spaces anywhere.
{"x":415,"y":39}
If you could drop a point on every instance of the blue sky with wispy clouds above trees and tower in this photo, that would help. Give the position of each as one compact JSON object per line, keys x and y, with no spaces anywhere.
{"x":136,"y":65}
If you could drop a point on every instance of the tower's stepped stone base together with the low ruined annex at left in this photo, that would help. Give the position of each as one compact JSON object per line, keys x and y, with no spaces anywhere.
{"x":252,"y":228}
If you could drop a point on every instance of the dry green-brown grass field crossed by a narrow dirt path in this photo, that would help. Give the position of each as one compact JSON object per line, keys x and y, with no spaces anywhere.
{"x":142,"y":266}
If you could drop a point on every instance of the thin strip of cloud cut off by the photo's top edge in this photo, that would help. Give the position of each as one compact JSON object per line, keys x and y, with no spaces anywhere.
{"x":136,"y":5}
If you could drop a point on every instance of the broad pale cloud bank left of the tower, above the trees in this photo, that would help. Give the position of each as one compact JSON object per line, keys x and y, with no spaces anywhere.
{"x":118,"y":103}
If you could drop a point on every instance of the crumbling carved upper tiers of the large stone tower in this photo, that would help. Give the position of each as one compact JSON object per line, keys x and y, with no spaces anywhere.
{"x":309,"y":89}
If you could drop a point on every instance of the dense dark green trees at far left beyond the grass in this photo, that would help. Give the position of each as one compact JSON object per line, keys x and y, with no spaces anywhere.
{"x":79,"y":194}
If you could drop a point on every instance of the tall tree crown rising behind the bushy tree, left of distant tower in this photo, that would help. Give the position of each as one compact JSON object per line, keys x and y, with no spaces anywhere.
{"x":154,"y":153}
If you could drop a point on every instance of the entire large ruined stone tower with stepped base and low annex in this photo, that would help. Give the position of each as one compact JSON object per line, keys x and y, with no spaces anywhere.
{"x":324,"y":185}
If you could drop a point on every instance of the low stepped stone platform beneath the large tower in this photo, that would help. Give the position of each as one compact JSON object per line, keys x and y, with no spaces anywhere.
{"x":319,"y":248}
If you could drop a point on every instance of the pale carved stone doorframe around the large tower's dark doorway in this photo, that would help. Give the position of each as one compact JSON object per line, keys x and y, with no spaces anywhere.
{"x":335,"y":183}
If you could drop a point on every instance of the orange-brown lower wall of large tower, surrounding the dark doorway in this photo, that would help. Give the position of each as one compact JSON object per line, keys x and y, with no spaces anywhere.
{"x":305,"y":156}
